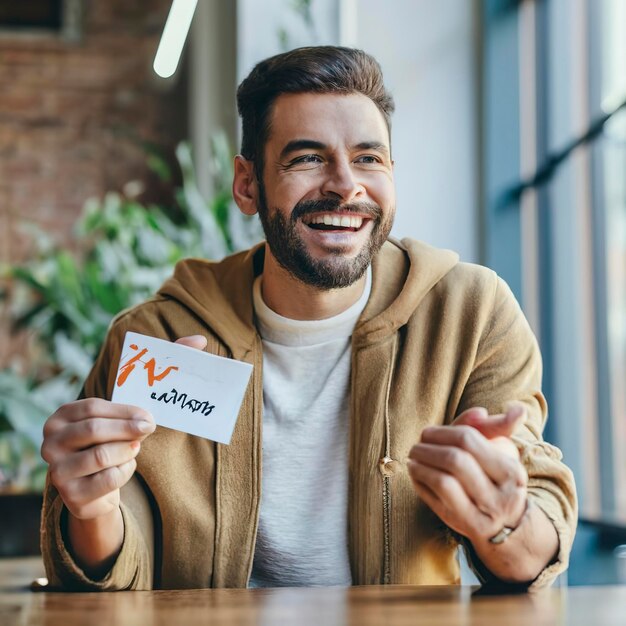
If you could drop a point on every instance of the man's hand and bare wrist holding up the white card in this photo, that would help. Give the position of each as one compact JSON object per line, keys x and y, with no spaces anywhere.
{"x":91,"y":447}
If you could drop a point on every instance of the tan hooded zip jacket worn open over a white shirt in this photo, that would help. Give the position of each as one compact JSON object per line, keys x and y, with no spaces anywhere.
{"x":436,"y":337}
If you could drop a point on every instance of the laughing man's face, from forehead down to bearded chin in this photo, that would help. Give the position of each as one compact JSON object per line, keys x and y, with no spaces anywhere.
{"x":327,"y":198}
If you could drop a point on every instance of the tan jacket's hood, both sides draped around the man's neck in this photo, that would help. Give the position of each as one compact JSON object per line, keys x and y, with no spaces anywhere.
{"x":220,"y":293}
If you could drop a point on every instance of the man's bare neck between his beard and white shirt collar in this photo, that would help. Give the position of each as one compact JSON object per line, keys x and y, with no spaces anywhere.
{"x":289,"y":297}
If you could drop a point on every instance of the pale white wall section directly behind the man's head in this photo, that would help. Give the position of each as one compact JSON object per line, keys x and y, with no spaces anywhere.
{"x":426,"y":49}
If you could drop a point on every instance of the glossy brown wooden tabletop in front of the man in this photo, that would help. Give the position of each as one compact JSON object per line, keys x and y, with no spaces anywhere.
{"x":357,"y":606}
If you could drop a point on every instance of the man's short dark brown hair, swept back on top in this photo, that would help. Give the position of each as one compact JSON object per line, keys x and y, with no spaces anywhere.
{"x":319,"y":69}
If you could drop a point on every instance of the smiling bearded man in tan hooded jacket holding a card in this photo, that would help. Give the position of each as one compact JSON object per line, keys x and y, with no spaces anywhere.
{"x":394,"y":409}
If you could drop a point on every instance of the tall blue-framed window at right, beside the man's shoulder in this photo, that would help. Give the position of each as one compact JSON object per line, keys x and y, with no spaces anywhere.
{"x":555,"y":183}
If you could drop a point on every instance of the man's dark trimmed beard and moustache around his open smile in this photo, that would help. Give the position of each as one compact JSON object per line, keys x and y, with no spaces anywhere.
{"x":334,"y":271}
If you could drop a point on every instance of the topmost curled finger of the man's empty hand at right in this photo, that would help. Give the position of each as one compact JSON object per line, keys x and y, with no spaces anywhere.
{"x":499,"y":467}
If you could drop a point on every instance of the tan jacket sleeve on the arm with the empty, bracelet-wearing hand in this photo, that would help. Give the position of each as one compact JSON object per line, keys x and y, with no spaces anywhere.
{"x":508,"y":368}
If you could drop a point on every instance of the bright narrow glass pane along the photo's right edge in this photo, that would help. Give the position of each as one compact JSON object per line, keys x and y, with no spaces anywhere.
{"x":611,"y":203}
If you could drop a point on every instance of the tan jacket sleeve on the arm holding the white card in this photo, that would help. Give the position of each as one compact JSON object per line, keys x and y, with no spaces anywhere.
{"x":133,"y":566}
